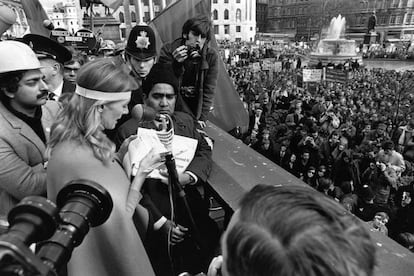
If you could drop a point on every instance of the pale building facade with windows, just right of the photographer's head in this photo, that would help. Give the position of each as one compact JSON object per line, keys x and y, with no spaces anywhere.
{"x":234,"y":20}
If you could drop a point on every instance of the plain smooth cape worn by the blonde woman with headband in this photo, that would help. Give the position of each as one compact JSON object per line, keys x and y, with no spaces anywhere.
{"x":115,"y":247}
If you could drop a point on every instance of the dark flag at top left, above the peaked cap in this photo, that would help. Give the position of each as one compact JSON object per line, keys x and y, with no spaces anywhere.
{"x":35,"y":15}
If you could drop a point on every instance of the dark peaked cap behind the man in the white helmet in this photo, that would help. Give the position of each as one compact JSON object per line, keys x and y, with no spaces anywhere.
{"x":47,"y":48}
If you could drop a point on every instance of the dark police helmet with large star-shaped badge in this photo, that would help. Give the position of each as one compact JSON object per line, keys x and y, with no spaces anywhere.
{"x":141,"y":42}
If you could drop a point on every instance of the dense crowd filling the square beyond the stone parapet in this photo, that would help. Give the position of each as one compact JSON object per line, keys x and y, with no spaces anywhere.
{"x":352,"y":140}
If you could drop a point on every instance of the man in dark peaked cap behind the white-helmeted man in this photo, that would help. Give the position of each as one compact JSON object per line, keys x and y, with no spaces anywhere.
{"x":52,"y":57}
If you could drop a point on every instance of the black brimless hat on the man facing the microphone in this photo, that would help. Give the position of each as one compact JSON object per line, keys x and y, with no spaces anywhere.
{"x":160,"y":73}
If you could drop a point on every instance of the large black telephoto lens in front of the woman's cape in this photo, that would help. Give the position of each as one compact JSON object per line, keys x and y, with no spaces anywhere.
{"x":83,"y":204}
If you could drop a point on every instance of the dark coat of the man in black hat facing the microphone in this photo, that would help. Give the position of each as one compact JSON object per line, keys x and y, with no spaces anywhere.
{"x":156,"y":200}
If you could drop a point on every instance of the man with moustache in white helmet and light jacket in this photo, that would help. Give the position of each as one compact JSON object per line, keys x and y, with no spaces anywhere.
{"x":26,"y":117}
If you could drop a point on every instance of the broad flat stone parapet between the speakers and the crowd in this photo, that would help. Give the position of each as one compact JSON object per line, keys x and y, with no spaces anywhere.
{"x":237,"y":168}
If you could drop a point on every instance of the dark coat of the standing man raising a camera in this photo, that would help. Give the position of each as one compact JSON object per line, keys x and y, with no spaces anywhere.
{"x":207,"y":75}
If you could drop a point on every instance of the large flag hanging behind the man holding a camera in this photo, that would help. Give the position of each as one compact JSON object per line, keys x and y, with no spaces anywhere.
{"x":228,"y":110}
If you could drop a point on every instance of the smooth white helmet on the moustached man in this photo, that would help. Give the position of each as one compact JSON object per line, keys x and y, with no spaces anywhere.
{"x":15,"y":56}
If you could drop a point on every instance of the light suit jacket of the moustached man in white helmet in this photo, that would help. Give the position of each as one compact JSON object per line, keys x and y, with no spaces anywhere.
{"x":22,"y":155}
